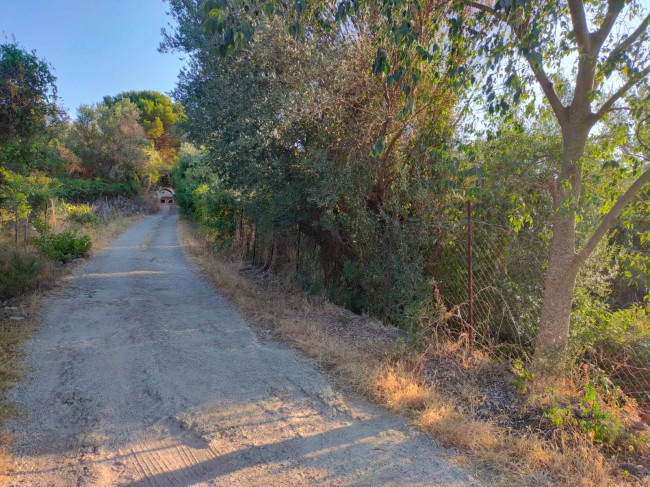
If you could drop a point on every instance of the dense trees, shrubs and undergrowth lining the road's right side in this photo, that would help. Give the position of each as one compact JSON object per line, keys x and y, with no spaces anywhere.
{"x":337,"y":146}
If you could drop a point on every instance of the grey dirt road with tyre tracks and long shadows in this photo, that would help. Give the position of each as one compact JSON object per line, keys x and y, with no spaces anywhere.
{"x":142,"y":375}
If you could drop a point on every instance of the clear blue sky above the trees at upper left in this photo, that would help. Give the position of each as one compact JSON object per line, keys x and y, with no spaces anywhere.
{"x":96,"y":47}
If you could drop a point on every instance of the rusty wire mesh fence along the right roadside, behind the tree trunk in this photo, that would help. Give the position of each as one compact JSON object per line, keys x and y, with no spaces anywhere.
{"x":416,"y":274}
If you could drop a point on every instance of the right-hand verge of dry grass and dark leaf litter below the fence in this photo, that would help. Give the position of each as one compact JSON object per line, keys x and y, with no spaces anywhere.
{"x":443,"y":399}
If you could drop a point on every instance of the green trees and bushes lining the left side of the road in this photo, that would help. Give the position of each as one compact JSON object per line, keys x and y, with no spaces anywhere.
{"x":67,"y":187}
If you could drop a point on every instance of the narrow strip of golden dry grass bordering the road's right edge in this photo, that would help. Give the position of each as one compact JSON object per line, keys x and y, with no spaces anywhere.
{"x":395,"y":380}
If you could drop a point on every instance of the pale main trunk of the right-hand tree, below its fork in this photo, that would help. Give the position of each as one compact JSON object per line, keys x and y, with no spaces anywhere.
{"x":553,"y":334}
